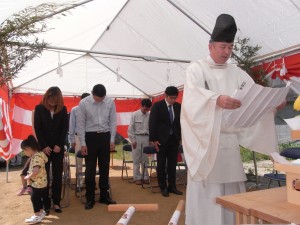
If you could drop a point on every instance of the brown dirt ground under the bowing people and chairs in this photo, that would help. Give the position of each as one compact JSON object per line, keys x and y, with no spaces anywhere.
{"x":15,"y":209}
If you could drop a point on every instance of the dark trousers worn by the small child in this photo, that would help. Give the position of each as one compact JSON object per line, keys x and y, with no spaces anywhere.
{"x":40,"y":199}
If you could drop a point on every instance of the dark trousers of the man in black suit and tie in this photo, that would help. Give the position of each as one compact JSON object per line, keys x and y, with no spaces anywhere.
{"x":166,"y":162}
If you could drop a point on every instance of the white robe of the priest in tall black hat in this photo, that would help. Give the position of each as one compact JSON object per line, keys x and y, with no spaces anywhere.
{"x":211,"y":150}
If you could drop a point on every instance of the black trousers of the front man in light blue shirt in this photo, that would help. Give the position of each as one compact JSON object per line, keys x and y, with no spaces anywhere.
{"x":98,"y":147}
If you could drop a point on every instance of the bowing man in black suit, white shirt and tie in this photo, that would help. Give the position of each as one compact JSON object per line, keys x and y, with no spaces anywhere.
{"x":165,"y":136}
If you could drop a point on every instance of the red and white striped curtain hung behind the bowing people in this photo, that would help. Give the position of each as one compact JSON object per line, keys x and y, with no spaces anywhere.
{"x":22,"y":105}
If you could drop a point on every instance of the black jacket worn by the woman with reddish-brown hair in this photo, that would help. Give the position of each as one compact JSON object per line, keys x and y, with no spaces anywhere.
{"x":50,"y":132}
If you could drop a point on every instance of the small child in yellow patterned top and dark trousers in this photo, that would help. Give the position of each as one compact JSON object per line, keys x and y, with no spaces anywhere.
{"x":37,"y":179}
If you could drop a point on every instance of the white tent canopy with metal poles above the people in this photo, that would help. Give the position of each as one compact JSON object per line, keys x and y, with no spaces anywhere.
{"x":153,"y":28}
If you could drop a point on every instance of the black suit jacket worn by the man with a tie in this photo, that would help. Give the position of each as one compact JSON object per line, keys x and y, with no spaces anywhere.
{"x":160,"y":124}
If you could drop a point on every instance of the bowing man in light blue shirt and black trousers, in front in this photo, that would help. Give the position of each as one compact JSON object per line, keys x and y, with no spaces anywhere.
{"x":96,"y":122}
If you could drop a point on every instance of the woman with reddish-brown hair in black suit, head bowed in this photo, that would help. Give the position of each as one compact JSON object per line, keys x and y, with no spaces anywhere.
{"x":51,"y":126}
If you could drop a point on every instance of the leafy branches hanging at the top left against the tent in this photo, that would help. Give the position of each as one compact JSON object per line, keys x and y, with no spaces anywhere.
{"x":18,"y":37}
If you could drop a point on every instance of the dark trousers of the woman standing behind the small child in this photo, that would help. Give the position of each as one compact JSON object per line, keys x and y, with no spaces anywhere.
{"x":56,"y":161}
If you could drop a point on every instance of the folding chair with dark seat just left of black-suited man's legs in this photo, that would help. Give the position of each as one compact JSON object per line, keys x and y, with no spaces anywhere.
{"x":150,"y":151}
